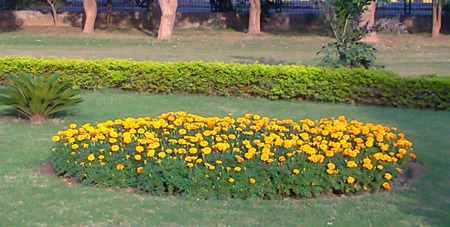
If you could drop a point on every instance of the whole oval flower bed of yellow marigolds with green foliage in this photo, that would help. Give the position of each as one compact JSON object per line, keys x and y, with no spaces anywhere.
{"x":249,"y":156}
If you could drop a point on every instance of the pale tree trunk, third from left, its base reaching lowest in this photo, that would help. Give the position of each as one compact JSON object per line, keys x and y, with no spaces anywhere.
{"x":168,"y":10}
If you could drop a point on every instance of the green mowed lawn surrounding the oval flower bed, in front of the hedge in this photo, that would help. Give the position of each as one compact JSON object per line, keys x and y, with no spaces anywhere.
{"x":31,"y":198}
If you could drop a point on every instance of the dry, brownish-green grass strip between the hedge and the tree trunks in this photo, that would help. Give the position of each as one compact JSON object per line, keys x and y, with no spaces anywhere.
{"x":406,"y":54}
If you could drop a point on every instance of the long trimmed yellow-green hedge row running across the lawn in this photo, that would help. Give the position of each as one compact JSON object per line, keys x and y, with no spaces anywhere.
{"x":243,"y":80}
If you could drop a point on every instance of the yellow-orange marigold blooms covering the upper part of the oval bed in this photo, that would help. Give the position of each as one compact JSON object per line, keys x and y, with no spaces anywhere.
{"x":198,"y":140}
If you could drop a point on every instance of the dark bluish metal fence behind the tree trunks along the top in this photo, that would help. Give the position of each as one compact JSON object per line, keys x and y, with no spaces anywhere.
{"x":394,"y":8}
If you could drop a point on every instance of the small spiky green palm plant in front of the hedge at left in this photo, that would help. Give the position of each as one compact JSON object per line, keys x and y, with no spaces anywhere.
{"x":40,"y":97}
